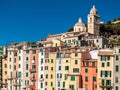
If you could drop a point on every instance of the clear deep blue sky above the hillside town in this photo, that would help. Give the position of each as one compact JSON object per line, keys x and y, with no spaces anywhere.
{"x":33,"y":20}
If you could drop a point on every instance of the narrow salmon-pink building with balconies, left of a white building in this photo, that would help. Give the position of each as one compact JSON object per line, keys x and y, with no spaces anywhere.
{"x":33,"y":67}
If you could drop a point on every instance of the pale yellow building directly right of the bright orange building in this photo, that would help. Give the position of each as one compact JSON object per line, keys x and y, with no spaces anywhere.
{"x":105,"y":70}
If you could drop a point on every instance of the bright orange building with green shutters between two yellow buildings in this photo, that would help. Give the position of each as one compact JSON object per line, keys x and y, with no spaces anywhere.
{"x":89,"y":73}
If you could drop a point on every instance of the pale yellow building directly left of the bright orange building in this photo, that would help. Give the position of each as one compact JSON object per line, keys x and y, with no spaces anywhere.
{"x":71,"y":70}
